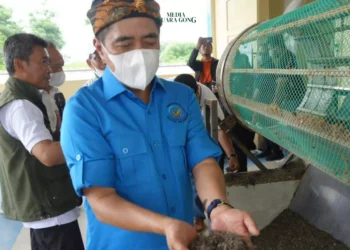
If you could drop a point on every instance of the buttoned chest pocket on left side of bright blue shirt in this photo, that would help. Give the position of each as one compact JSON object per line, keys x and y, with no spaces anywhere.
{"x":132,"y":166}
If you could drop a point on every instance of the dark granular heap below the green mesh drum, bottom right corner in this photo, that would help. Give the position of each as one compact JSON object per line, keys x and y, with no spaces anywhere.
{"x":289,"y":231}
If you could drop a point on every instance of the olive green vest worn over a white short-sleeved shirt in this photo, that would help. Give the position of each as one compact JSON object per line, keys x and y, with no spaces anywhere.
{"x":30,"y":190}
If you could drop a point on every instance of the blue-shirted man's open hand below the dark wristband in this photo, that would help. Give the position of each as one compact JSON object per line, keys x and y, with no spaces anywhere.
{"x":226,"y":219}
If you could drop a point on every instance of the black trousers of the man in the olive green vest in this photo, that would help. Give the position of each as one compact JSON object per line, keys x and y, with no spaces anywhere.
{"x":64,"y":237}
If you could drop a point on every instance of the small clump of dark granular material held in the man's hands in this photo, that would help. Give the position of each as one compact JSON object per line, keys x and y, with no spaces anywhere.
{"x":219,"y":241}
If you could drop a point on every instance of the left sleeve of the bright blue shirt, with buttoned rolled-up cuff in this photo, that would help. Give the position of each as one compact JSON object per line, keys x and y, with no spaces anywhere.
{"x":89,"y":157}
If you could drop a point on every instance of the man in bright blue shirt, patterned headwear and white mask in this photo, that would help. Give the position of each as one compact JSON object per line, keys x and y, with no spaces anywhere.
{"x":132,"y":141}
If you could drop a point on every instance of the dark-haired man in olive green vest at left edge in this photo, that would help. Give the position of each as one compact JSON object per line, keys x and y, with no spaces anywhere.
{"x":35,"y":183}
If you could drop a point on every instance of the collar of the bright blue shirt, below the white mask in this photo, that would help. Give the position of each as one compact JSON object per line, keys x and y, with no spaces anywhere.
{"x":112,"y":87}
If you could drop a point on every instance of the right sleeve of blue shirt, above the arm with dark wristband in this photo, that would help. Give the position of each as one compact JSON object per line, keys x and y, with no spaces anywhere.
{"x":200,"y":145}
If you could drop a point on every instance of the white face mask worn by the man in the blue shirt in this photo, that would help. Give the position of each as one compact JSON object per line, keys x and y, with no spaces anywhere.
{"x":135,"y":68}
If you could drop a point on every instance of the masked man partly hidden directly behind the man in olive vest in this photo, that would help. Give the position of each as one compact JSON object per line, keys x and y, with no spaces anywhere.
{"x":57,"y":79}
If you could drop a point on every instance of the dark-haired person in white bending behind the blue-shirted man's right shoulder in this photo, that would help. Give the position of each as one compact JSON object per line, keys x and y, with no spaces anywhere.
{"x":202,"y":92}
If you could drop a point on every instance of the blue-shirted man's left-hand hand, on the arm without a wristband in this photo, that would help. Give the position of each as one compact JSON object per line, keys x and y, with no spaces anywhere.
{"x":179,"y":235}
